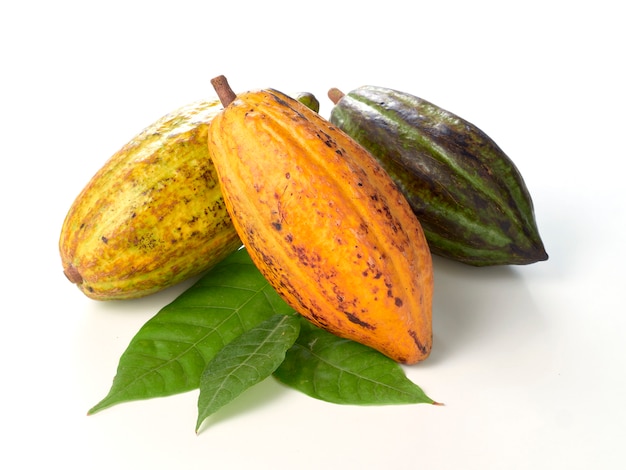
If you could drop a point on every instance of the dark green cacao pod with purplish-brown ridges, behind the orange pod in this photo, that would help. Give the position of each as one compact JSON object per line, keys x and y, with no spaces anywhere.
{"x":469,"y":196}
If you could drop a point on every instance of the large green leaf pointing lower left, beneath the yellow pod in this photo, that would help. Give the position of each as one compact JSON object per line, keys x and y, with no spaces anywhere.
{"x":170,"y":352}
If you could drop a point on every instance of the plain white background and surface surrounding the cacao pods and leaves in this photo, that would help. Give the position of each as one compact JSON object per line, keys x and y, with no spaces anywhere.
{"x":529,"y":361}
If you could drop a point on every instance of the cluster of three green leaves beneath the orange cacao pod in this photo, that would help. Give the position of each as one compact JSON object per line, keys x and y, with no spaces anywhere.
{"x":231,"y":330}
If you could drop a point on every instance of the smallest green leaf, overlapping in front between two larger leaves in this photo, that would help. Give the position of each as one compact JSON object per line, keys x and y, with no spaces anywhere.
{"x":244,"y":362}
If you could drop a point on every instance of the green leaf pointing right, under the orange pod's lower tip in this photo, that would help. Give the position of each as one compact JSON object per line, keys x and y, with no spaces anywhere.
{"x":341,"y":371}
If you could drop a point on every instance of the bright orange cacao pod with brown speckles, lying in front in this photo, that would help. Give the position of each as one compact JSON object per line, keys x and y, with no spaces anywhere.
{"x":325,"y":224}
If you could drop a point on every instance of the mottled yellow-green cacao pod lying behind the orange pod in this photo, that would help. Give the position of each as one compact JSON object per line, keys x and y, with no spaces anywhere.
{"x":153,"y":215}
